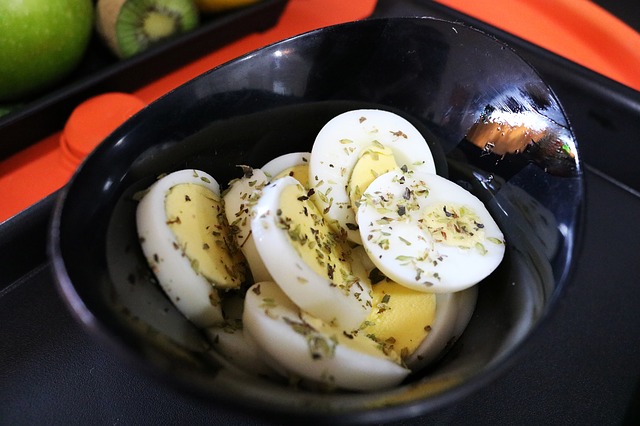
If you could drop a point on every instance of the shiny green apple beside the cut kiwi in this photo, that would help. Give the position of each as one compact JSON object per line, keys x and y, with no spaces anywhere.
{"x":41,"y":41}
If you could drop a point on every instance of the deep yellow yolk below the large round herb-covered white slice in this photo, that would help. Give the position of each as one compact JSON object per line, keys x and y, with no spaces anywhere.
{"x":401,"y":318}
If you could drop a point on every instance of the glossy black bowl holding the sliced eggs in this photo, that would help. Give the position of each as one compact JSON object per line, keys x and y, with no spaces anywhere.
{"x":454,"y":83}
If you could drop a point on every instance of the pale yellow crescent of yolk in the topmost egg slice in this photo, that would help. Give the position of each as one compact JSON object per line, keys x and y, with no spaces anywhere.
{"x":375,"y":160}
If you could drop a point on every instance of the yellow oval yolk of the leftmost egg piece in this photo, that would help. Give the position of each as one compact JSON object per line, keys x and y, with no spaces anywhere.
{"x":196,"y":217}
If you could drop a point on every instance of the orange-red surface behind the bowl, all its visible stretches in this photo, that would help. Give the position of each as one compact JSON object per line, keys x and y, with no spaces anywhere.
{"x":576,"y":29}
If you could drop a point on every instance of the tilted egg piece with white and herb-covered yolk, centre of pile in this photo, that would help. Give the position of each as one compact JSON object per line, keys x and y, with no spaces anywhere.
{"x":309,"y":262}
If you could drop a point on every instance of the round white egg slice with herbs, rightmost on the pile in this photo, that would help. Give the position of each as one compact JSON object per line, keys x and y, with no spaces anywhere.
{"x":427,"y":233}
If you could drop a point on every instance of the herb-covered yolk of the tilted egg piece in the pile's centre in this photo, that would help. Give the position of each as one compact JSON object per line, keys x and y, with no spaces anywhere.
{"x":324,"y":251}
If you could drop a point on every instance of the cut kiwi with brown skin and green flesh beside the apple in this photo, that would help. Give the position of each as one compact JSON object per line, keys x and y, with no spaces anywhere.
{"x":132,"y":26}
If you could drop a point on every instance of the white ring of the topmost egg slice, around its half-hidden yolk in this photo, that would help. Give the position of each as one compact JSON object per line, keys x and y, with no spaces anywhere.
{"x":337,"y":148}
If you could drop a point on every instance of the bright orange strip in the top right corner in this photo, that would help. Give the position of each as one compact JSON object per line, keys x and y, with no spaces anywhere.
{"x":578,"y":30}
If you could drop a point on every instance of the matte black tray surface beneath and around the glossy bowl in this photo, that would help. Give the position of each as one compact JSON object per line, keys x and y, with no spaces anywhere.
{"x":582,"y":368}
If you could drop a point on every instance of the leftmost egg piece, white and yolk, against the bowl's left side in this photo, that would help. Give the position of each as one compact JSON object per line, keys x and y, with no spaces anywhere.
{"x":185,"y":238}
